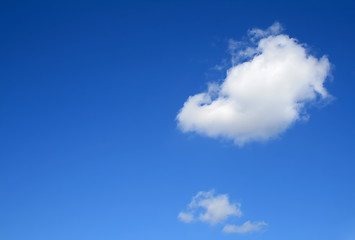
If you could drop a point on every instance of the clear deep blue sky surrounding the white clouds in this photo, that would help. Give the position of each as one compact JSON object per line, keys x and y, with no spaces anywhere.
{"x":91,"y":146}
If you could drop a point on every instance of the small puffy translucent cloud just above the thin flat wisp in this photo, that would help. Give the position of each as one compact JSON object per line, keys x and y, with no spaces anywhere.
{"x":210,"y":208}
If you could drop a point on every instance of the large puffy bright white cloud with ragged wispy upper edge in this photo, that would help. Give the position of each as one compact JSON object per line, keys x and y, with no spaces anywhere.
{"x":262,"y":96}
